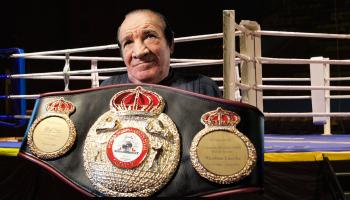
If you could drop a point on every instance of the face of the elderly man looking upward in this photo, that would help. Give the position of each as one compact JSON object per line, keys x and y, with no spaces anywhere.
{"x":144,"y":47}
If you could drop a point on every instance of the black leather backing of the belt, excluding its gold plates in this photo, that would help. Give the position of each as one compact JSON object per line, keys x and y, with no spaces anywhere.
{"x":185,"y":110}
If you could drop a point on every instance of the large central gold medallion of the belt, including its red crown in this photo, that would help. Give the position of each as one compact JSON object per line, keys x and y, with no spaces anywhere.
{"x":133,"y":149}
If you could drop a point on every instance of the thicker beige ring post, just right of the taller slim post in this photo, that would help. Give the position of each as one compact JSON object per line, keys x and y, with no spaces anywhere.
{"x":251,"y":71}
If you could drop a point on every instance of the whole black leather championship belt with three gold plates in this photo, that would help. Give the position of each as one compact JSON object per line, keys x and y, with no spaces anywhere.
{"x":147,"y":140}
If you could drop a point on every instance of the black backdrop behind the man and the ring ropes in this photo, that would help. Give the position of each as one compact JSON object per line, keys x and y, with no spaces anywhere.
{"x":52,"y":25}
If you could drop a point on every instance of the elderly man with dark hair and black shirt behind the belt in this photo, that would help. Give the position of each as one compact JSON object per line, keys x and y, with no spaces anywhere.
{"x":146,"y":42}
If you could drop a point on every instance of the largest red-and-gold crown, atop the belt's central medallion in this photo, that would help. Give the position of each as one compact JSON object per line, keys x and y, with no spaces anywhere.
{"x":138,"y":99}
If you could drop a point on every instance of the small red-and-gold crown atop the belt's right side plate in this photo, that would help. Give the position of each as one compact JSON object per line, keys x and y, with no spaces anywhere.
{"x":220,"y":117}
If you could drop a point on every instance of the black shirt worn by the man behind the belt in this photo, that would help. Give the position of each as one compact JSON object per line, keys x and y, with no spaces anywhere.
{"x":191,"y":82}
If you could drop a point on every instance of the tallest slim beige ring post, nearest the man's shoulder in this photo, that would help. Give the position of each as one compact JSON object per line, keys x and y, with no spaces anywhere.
{"x":229,"y":69}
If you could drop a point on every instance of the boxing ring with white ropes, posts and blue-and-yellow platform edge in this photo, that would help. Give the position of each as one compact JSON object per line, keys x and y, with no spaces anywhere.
{"x":242,"y":81}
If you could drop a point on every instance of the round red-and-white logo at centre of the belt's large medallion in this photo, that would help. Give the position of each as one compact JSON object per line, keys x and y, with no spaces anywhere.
{"x":127,"y":148}
